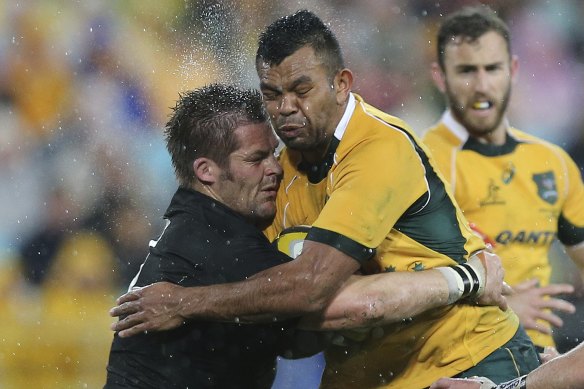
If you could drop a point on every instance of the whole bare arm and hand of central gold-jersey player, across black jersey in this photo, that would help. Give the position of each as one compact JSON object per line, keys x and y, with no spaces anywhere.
{"x":305,"y":285}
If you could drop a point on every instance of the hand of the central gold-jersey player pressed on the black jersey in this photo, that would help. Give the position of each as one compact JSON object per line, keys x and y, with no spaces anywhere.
{"x":154,"y":307}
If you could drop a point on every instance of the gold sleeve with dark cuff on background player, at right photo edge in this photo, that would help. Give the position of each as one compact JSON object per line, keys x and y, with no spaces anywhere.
{"x":571,"y":220}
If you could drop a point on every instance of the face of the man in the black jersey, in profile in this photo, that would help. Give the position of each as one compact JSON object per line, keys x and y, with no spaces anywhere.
{"x":250,"y":181}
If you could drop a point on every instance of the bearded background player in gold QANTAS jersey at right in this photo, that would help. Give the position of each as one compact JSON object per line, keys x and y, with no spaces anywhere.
{"x":519,"y":190}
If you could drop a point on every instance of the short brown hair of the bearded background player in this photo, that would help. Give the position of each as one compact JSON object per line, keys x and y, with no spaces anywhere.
{"x":470,"y":23}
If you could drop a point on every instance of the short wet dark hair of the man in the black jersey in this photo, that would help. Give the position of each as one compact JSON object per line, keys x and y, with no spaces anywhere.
{"x":203,"y":122}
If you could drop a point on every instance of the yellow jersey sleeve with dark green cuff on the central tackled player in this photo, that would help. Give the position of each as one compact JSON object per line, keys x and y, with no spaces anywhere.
{"x":369,"y":190}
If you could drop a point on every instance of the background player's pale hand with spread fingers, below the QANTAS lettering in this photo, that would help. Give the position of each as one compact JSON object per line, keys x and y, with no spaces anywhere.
{"x":530,"y":303}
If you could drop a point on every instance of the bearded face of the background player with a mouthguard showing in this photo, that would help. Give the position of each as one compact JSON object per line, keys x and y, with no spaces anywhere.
{"x":477,"y":82}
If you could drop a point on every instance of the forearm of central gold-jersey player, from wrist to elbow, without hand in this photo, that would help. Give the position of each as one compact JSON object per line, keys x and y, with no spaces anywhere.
{"x":297,"y":288}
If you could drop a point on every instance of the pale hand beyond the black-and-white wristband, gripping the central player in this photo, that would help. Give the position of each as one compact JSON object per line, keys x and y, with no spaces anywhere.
{"x":496,"y":289}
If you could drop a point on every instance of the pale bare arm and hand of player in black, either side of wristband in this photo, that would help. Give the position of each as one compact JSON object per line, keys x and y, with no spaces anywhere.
{"x":368,"y":301}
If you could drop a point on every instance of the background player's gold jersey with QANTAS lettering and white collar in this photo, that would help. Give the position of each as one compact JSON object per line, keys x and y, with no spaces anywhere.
{"x":521,"y":195}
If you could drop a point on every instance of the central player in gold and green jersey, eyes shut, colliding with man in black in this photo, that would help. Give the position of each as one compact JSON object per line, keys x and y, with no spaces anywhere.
{"x":369,"y":190}
